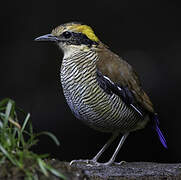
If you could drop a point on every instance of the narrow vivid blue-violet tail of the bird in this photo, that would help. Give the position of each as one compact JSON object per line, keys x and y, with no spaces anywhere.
{"x":160,"y":134}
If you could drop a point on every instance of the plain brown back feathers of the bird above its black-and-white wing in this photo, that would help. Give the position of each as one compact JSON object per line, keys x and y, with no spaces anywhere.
{"x":121,"y":73}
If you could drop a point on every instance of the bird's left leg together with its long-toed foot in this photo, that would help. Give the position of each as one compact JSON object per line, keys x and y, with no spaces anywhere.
{"x":94,"y":160}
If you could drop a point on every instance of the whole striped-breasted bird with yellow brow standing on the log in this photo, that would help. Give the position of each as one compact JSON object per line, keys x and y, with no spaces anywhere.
{"x":101,"y":88}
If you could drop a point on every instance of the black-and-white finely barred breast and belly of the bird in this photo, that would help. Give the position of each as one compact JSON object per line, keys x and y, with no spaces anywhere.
{"x":88,"y":101}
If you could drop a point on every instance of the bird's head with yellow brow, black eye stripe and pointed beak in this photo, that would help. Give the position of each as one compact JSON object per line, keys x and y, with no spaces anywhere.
{"x":72,"y":36}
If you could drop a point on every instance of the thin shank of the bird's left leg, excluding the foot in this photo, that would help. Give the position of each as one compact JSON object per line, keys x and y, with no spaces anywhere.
{"x":108,"y":143}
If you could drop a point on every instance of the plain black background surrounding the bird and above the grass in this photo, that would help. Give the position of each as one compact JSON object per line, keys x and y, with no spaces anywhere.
{"x":146,"y":33}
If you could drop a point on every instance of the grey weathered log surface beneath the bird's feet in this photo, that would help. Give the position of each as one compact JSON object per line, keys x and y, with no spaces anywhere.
{"x":132,"y":171}
